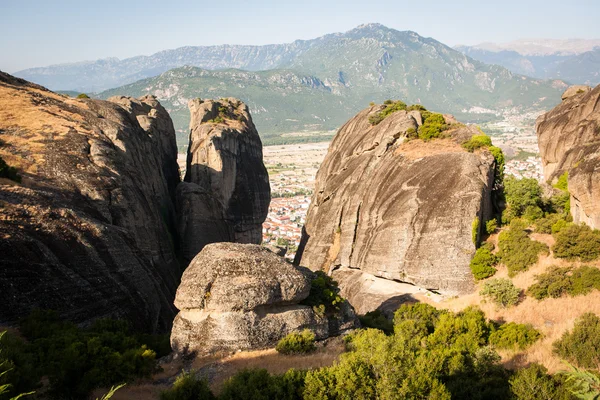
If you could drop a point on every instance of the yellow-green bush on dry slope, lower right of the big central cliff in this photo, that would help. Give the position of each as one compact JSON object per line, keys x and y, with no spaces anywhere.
{"x":517,"y":251}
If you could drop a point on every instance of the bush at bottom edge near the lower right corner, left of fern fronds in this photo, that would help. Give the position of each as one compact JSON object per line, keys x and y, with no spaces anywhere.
{"x":534,"y":383}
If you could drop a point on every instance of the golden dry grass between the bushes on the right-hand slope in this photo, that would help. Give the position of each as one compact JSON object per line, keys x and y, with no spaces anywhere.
{"x":552,"y":317}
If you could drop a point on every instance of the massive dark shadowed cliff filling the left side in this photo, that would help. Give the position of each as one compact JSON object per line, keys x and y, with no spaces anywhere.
{"x":90,"y":232}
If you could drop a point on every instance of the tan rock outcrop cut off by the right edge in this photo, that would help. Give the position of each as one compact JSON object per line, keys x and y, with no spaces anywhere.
{"x":569,"y":141}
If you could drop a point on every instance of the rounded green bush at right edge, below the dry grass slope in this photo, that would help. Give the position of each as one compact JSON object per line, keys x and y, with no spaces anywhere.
{"x":581,"y":346}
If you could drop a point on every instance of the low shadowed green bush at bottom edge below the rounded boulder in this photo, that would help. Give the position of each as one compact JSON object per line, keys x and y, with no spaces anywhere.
{"x":257,"y":384}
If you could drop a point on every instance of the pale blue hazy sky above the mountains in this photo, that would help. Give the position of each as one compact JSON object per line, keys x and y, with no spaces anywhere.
{"x":45,"y":32}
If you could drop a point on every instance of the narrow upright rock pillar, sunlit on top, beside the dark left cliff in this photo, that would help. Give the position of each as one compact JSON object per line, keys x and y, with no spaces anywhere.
{"x":225,"y":195}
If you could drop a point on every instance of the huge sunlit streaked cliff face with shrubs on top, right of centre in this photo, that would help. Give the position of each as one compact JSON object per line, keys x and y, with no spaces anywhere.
{"x":400,"y":211}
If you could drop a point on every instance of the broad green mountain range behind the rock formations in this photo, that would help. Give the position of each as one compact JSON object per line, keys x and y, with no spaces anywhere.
{"x":311,"y":85}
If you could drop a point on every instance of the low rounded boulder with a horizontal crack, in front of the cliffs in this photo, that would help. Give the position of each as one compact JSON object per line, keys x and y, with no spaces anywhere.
{"x":239,"y":297}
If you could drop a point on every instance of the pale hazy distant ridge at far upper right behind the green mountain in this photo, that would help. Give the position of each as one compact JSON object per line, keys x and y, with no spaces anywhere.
{"x":575,"y":60}
